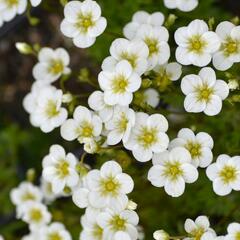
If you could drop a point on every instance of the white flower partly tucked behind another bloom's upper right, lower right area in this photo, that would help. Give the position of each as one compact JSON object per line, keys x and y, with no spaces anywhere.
{"x":199,"y":146}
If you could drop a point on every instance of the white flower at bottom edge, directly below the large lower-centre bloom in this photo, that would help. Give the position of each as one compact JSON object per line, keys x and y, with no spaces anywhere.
{"x":118,"y":224}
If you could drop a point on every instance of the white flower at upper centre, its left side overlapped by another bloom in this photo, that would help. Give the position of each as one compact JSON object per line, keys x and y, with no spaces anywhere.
{"x":156,"y":39}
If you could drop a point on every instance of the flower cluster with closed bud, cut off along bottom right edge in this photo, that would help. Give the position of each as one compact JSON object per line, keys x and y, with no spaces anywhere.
{"x":200,"y":229}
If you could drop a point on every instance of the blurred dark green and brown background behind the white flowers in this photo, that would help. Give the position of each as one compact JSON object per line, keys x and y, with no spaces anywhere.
{"x":23,"y":147}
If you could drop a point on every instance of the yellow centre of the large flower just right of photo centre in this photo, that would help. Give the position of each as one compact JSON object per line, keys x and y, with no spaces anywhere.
{"x":147,"y":137}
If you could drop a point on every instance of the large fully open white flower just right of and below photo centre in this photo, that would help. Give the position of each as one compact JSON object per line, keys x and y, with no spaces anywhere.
{"x":148,"y":136}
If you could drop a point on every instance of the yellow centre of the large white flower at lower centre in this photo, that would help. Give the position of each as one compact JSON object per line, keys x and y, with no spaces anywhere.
{"x":109,"y":186}
